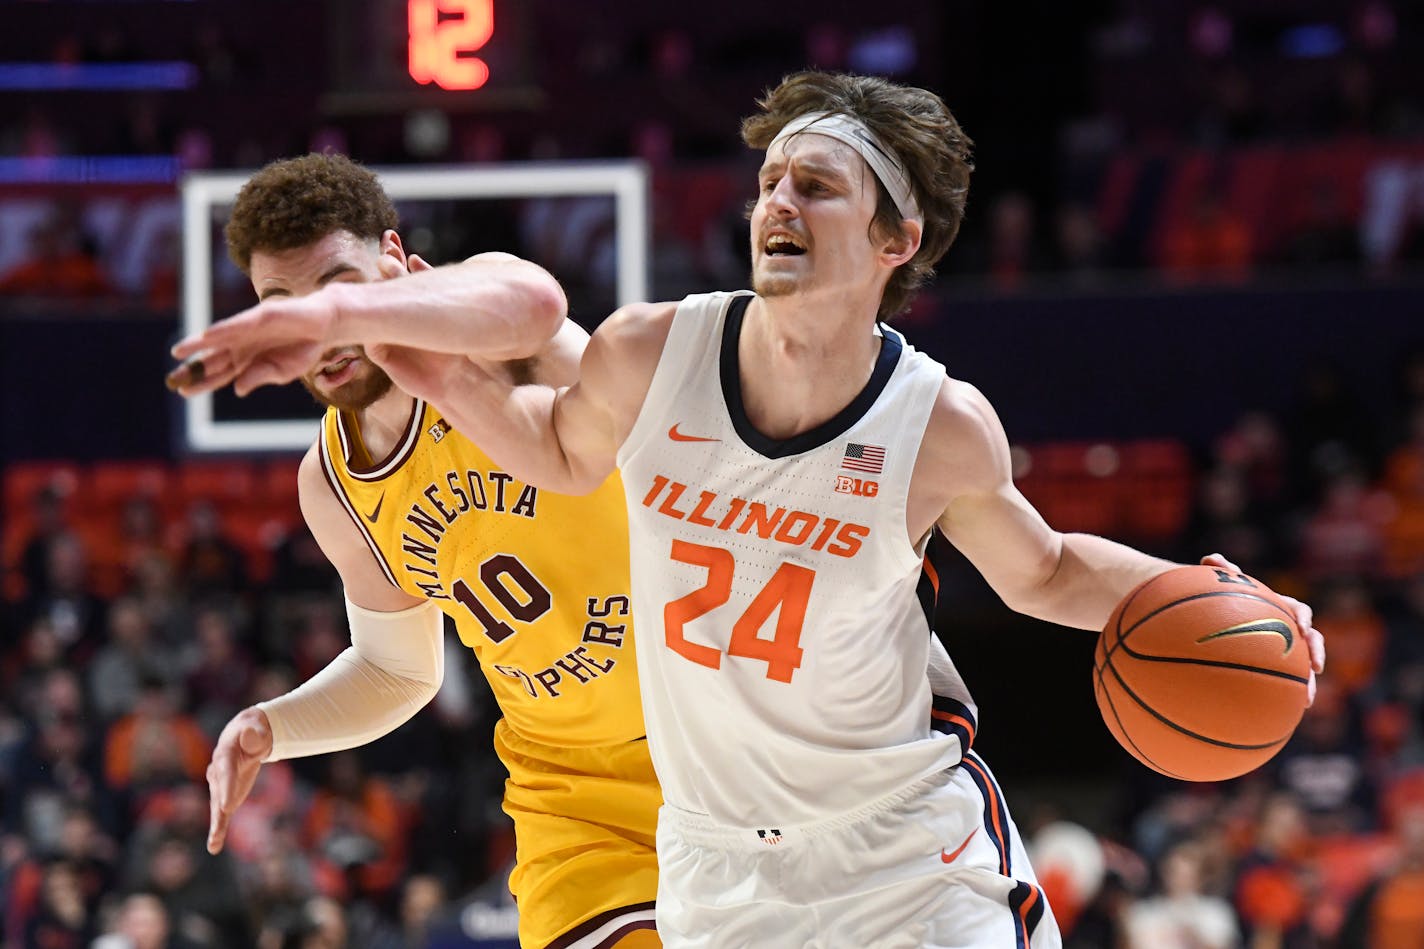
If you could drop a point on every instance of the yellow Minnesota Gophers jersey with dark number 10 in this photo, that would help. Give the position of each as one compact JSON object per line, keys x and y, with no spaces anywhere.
{"x":538,"y":582}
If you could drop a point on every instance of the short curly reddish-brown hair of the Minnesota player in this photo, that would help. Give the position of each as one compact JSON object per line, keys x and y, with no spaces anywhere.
{"x":297,"y":202}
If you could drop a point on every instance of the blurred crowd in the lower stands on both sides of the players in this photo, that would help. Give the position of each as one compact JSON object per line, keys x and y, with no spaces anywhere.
{"x":146,"y":605}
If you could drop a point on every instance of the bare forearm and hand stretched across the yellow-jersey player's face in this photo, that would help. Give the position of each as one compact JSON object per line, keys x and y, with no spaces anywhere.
{"x":492,"y":307}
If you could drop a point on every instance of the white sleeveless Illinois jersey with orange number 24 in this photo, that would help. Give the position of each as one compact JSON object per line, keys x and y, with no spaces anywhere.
{"x":787,"y":665}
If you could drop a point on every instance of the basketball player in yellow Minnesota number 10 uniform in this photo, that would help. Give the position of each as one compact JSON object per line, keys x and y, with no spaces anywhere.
{"x":419,"y":521}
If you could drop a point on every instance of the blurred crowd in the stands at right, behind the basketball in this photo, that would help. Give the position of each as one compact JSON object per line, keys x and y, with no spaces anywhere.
{"x":1325,"y":846}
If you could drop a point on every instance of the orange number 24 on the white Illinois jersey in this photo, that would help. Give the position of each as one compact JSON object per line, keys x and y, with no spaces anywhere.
{"x":787,"y":593}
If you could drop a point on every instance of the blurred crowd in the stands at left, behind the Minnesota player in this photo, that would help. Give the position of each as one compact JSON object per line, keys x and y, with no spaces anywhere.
{"x":136,"y":625}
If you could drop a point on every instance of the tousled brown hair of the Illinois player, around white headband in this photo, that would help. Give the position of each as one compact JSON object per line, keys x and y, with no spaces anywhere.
{"x":916,"y":126}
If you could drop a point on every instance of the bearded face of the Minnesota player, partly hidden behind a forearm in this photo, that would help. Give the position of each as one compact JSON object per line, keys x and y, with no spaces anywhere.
{"x":342,"y":377}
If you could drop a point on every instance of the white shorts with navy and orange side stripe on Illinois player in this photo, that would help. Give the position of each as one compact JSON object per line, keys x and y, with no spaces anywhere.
{"x":939,"y":864}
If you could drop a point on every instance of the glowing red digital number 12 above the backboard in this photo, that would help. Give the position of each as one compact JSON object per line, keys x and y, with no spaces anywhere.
{"x":441,"y":48}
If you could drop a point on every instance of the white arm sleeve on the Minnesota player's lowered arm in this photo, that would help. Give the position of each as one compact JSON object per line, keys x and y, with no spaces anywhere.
{"x":392,"y":669}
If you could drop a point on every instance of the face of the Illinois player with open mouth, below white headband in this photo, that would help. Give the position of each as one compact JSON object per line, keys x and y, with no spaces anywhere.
{"x":811,"y":227}
